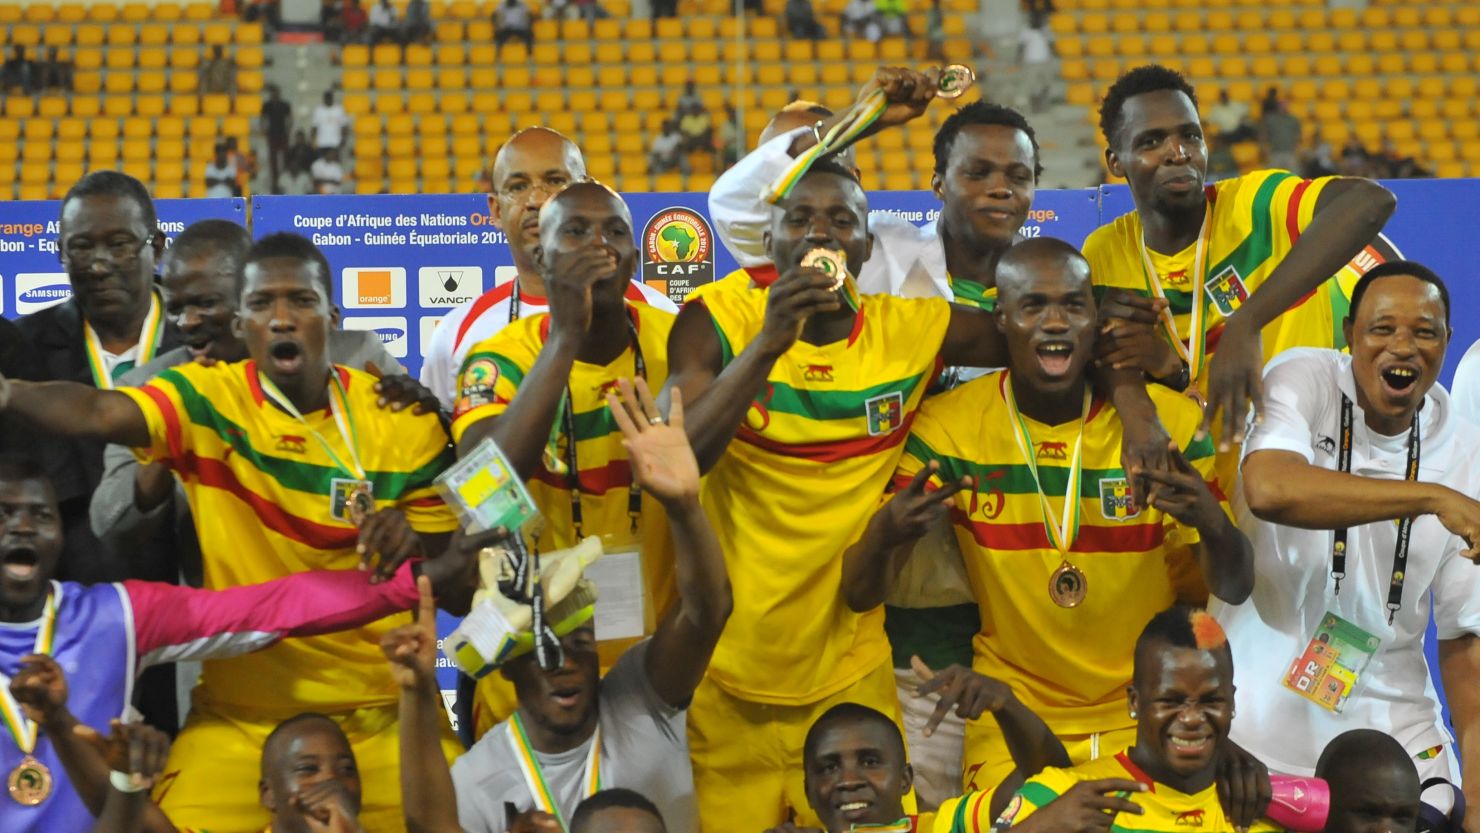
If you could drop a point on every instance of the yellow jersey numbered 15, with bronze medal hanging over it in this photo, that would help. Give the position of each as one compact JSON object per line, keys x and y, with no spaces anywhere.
{"x":1071,"y":667}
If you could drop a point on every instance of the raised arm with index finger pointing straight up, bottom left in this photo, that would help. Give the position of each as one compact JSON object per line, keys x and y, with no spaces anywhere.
{"x":427,"y":783}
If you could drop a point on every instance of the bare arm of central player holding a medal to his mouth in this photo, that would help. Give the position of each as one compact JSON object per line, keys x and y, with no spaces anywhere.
{"x":720,"y":394}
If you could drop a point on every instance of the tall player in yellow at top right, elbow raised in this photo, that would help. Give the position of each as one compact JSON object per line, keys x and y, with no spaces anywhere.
{"x":1244,"y":263}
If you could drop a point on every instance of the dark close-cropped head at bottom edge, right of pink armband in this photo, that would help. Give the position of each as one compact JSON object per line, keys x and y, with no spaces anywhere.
{"x":1374,"y":785}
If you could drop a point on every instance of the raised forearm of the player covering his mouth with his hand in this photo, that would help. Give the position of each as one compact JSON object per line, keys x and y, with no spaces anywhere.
{"x":525,"y":428}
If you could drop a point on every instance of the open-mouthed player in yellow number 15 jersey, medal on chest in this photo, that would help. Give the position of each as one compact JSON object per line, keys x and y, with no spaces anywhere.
{"x":1062,"y":584}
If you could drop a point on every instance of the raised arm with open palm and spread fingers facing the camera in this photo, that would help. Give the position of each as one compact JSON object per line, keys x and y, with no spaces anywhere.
{"x":664,"y":465}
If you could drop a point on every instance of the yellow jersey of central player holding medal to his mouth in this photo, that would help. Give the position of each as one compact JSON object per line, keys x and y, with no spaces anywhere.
{"x":798,"y":485}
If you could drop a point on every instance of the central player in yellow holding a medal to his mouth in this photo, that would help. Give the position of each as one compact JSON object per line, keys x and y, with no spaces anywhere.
{"x":803,"y":399}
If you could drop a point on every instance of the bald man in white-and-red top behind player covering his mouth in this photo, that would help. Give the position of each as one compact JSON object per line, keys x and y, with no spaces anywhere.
{"x":535,"y":165}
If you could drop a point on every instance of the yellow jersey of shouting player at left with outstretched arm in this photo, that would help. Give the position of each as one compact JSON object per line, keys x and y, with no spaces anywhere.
{"x":260,"y":486}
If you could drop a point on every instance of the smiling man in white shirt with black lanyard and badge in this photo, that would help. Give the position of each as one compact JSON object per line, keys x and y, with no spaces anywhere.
{"x":1358,"y":492}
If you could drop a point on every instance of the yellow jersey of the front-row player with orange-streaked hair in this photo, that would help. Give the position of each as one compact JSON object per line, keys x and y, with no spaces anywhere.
{"x":1165,"y":810}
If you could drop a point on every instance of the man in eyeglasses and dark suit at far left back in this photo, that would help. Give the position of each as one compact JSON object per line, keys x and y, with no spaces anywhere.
{"x":109,"y":245}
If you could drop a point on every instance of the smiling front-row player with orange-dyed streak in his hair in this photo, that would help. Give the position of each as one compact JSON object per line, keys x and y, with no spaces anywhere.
{"x":1182,"y":702}
